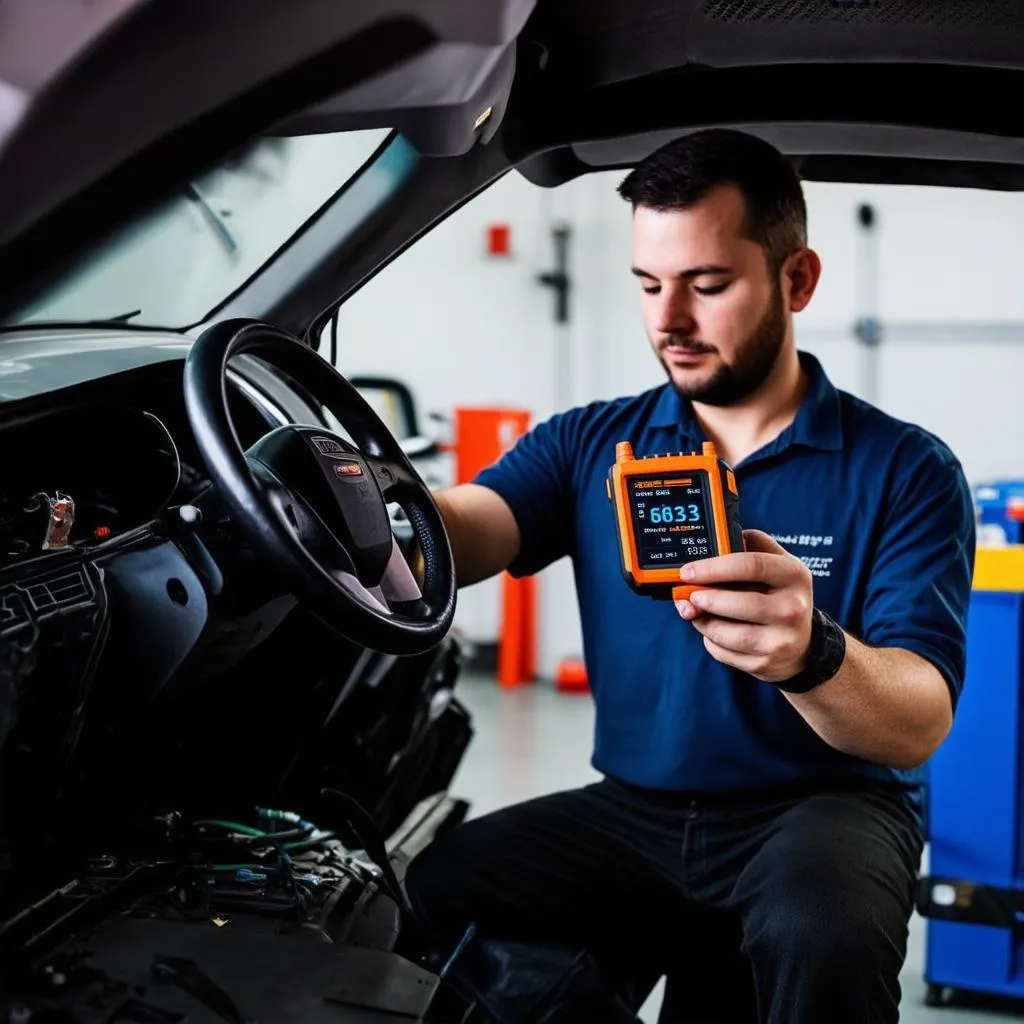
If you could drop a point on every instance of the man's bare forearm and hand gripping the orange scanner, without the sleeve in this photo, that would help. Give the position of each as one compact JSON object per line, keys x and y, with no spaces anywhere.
{"x":885,"y":705}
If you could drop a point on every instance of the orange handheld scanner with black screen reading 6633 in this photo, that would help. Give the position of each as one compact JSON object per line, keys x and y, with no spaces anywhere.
{"x":671,"y":509}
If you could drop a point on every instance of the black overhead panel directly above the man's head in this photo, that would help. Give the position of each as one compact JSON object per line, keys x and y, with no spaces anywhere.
{"x":904,"y":92}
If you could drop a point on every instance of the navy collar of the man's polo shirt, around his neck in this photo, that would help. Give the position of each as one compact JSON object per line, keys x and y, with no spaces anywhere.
{"x":819,"y":423}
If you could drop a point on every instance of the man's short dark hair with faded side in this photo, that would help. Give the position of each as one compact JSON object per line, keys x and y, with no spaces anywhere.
{"x":684,"y":173}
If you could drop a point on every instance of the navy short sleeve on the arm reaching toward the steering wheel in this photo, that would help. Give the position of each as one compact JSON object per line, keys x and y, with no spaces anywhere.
{"x":536,"y":480}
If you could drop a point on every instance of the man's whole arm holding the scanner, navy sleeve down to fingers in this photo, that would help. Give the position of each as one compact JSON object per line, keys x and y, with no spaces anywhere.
{"x":893,"y":699}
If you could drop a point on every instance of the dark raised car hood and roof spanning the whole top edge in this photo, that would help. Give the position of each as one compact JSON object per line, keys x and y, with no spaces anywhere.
{"x":107,"y":107}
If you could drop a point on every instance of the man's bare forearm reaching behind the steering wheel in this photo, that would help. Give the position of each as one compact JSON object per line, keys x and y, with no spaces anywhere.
{"x":483,"y":532}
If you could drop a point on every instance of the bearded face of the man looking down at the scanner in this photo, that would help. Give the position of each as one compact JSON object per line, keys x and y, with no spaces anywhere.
{"x":715,"y":316}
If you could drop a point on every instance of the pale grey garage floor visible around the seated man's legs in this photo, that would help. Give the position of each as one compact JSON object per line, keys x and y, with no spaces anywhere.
{"x":532,"y":741}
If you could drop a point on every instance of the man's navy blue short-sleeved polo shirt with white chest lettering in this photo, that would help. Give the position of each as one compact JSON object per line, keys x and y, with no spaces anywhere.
{"x":879,"y":510}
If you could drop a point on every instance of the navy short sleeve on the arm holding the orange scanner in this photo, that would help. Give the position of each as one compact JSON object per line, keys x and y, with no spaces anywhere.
{"x":920,"y":585}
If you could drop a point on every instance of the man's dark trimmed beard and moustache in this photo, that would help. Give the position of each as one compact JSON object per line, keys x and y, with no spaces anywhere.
{"x":754,"y":363}
